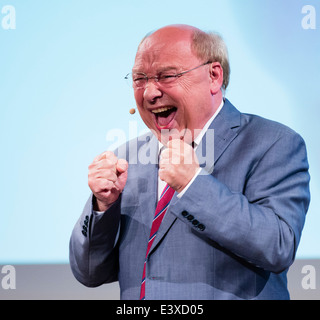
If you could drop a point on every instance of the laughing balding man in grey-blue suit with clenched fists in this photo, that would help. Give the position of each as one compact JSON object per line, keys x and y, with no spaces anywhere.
{"x":232,"y":226}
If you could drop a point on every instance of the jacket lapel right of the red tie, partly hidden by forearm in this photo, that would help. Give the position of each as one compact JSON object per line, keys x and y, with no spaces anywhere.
{"x":226,"y":126}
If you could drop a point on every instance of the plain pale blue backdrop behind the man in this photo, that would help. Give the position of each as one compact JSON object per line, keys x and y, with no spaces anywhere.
{"x":62,"y":90}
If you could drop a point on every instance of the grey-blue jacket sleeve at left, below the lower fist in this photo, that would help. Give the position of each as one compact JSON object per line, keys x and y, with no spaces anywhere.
{"x":93,"y":251}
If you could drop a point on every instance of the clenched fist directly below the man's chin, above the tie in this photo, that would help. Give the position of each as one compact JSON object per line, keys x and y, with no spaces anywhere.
{"x":178,"y":164}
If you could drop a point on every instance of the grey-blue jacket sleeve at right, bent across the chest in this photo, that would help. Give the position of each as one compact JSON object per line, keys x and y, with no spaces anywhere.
{"x":263,"y":222}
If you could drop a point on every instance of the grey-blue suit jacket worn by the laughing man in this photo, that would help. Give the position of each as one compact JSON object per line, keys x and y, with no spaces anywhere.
{"x":232,"y":235}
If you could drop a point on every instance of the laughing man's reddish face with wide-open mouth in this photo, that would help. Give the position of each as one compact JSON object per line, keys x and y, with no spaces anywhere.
{"x":183,"y":104}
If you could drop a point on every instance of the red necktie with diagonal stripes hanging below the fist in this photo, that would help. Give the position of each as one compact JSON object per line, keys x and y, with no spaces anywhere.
{"x":161,"y":210}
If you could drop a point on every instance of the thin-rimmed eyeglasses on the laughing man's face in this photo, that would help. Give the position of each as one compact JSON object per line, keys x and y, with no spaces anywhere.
{"x":140,"y":80}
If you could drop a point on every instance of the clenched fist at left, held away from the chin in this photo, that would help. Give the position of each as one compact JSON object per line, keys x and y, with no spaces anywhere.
{"x":106,"y":178}
